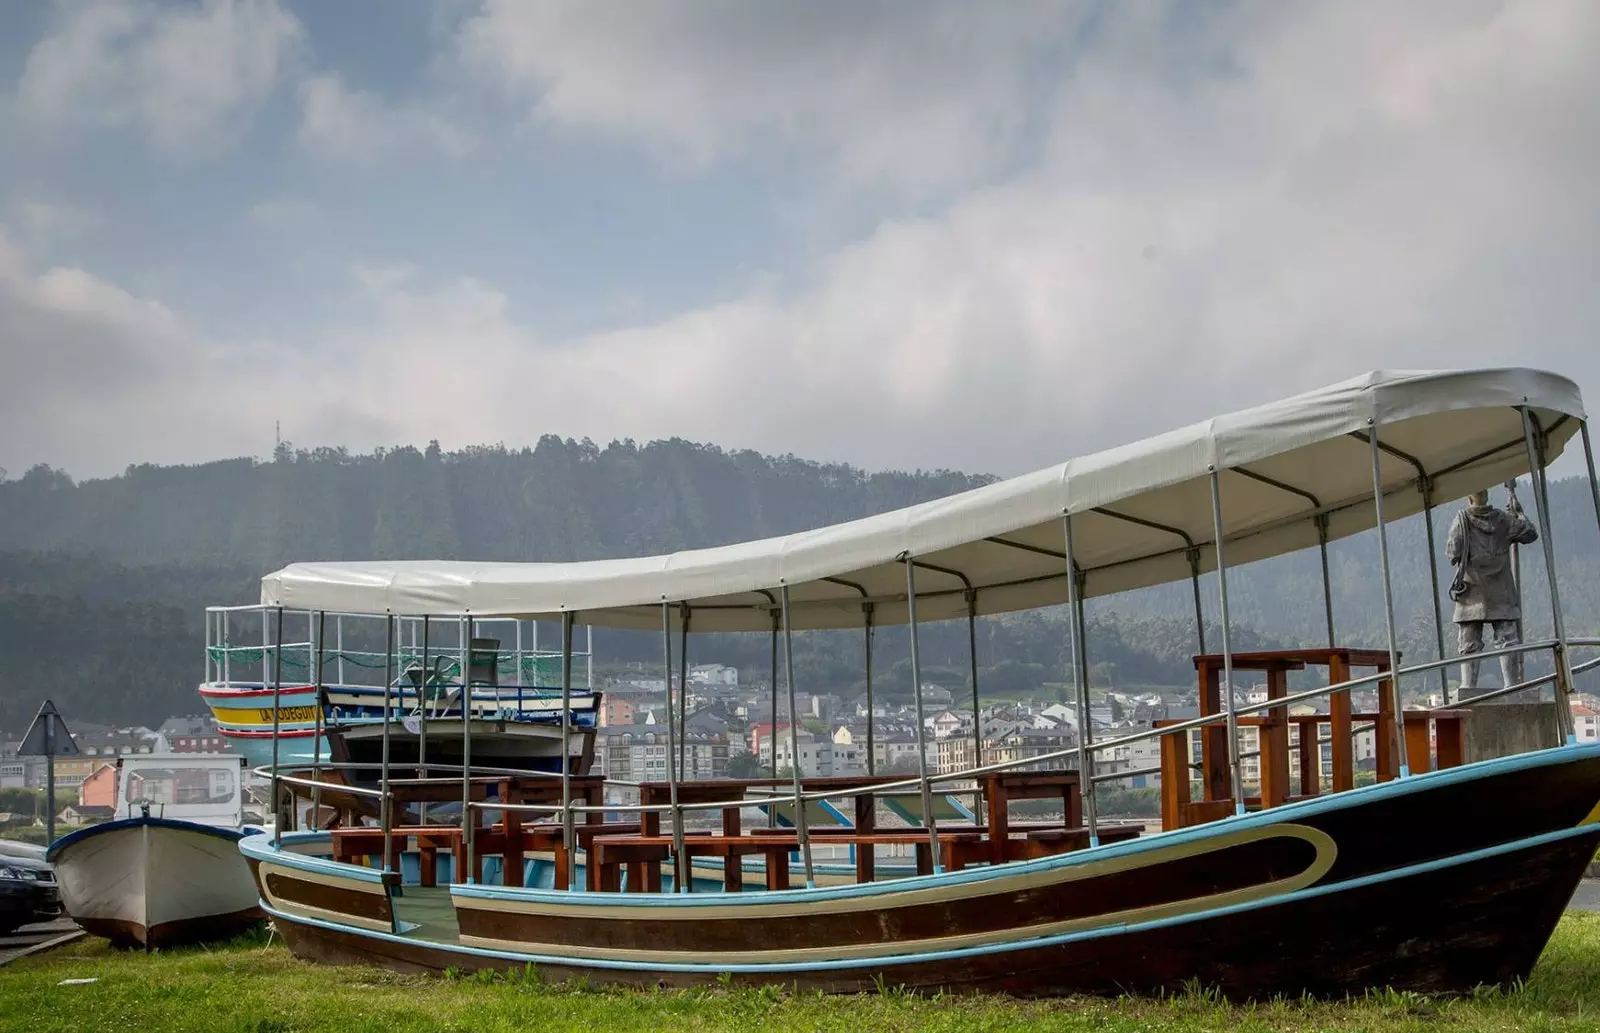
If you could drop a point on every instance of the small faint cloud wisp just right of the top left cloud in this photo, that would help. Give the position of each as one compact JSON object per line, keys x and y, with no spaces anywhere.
{"x":351,"y":126}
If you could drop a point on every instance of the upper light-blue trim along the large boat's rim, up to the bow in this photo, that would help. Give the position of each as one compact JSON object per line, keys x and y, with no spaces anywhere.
{"x":1287,"y":813}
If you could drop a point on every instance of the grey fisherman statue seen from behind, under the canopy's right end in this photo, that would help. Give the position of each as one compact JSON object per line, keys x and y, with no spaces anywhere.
{"x":1486,"y":588}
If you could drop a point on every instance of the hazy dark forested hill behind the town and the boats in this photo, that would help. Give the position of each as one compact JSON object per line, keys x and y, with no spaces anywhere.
{"x":103,"y":583}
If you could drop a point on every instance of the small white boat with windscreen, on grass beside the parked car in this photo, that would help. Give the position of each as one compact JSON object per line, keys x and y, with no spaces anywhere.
{"x":167,"y":871}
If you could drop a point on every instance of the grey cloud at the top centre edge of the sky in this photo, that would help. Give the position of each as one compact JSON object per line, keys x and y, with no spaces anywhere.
{"x":921,"y":98}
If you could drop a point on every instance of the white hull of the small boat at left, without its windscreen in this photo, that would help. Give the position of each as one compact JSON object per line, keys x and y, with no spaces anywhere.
{"x":151,"y":883}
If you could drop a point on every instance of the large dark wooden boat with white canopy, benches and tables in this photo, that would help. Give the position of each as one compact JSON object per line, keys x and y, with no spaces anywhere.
{"x":1446,"y":874}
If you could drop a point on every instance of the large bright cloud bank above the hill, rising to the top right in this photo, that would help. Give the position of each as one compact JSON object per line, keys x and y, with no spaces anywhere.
{"x":1225,"y":209}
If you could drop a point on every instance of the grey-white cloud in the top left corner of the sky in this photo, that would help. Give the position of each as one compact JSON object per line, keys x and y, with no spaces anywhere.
{"x":185,"y":76}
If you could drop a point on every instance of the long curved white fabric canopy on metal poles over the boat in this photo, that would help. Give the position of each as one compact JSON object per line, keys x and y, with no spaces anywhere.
{"x":1137,"y":514}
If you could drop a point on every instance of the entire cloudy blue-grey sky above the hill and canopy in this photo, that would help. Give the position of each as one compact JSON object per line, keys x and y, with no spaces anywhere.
{"x":980,"y":236}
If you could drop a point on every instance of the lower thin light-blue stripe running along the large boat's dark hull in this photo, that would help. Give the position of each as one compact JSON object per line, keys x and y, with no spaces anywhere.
{"x":969,"y":952}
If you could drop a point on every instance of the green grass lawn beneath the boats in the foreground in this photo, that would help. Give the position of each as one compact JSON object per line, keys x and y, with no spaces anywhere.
{"x":258,"y":987}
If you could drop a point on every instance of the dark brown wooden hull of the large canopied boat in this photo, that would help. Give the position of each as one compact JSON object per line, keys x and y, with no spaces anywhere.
{"x":1434,"y":883}
